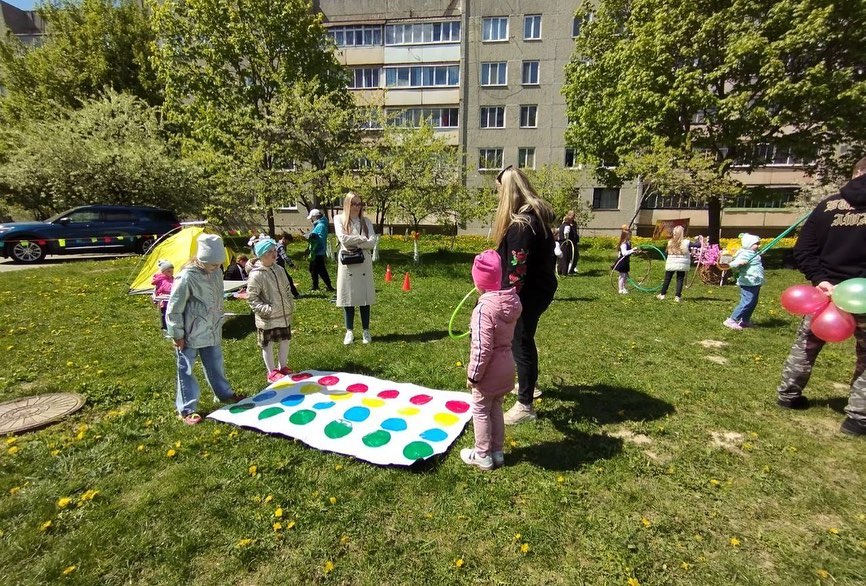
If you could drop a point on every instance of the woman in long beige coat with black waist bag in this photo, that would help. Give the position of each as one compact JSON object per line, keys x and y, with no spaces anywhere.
{"x":355,"y":281}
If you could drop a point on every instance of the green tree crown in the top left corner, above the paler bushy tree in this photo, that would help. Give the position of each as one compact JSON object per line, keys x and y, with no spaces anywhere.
{"x":91,"y":46}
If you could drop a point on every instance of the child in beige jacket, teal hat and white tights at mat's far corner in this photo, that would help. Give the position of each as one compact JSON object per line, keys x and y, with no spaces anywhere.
{"x":271,"y":300}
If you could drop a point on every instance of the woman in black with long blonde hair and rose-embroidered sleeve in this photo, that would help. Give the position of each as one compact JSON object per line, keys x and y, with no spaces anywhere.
{"x":523,"y":234}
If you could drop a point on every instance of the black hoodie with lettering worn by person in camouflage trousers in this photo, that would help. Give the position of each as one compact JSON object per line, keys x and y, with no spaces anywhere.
{"x":832,"y":243}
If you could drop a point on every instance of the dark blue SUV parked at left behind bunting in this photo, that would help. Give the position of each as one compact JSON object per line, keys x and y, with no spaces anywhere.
{"x":96,"y":228}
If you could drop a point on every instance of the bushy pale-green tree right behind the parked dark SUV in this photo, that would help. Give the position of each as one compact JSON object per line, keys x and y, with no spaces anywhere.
{"x":110,"y":151}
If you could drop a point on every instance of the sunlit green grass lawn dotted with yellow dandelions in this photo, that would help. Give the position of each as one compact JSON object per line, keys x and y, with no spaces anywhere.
{"x":659,"y":455}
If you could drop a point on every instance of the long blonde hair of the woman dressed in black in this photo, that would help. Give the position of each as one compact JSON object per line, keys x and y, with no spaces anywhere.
{"x":516,"y":199}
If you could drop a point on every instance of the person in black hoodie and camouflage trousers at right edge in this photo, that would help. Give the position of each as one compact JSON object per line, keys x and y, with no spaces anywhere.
{"x":831,"y":248}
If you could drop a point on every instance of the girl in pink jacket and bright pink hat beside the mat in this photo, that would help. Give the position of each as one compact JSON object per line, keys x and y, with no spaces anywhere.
{"x":490,"y":372}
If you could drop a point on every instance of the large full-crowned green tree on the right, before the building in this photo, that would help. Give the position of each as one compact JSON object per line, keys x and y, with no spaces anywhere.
{"x":725,"y":77}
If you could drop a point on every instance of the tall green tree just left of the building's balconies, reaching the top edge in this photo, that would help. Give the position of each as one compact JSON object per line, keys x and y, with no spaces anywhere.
{"x":224,"y":64}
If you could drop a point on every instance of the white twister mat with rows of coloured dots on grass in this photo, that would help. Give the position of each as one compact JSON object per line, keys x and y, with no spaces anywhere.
{"x":379,"y":421}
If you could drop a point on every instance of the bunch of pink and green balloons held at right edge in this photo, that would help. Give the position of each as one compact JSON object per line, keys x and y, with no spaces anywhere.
{"x":831,"y":319}
